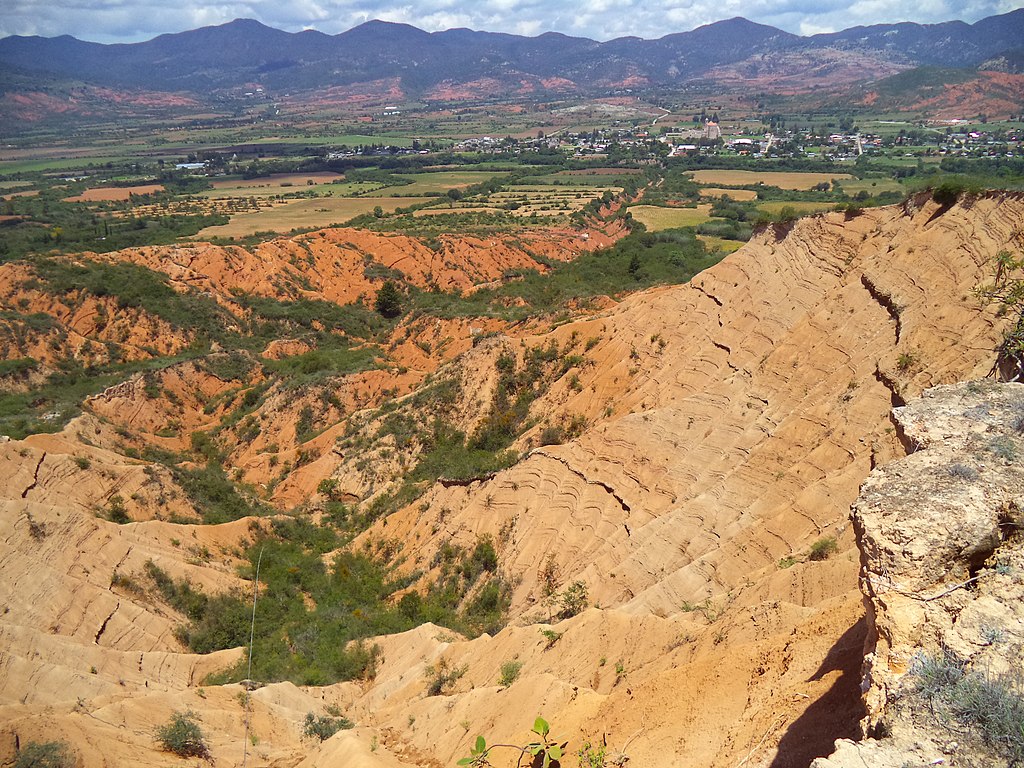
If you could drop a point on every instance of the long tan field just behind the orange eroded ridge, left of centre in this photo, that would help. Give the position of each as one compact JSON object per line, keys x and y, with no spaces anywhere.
{"x":312,"y":214}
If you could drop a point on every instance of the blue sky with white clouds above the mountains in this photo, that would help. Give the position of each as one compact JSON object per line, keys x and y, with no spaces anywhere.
{"x":134,"y":21}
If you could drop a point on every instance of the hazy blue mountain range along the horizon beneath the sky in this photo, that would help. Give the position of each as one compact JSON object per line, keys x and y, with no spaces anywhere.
{"x":242,"y":53}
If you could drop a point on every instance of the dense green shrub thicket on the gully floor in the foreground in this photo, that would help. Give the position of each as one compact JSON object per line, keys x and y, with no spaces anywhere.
{"x":312,"y":618}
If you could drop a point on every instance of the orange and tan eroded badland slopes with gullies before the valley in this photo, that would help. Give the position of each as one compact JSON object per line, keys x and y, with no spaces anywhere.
{"x":689,"y":454}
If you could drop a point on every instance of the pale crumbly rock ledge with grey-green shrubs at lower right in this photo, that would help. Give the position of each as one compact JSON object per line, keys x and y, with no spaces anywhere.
{"x":943,"y":573}
